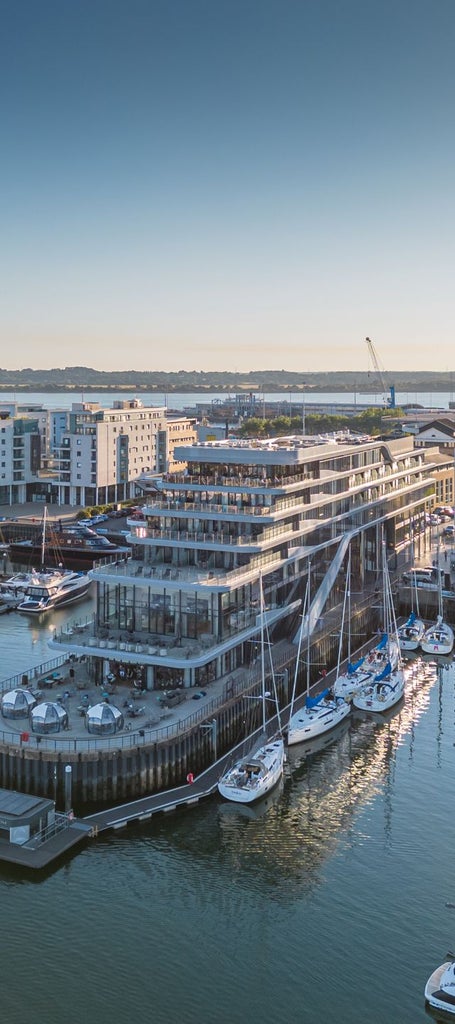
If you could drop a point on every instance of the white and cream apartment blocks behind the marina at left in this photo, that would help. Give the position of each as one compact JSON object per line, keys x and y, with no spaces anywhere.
{"x":87,"y":455}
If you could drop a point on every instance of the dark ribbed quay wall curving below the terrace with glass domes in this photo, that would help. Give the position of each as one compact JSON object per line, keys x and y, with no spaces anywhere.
{"x":102,"y":777}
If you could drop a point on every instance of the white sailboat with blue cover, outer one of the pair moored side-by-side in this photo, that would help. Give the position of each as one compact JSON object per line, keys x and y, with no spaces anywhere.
{"x":387,"y":684}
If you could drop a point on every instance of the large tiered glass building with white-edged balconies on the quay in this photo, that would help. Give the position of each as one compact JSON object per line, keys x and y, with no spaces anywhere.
{"x":246,"y":516}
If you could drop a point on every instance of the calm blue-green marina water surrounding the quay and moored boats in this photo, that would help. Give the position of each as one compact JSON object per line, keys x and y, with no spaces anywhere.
{"x":328,"y":904}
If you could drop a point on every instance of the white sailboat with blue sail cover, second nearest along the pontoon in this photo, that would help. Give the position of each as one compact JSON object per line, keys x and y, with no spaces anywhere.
{"x":321,"y":713}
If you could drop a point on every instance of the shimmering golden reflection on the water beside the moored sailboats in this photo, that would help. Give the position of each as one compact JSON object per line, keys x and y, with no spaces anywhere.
{"x":328,"y":782}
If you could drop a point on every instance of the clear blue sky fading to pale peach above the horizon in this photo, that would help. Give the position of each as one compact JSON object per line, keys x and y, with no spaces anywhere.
{"x":218,"y":185}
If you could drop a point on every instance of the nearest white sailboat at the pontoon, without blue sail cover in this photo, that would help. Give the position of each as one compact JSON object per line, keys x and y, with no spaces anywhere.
{"x":254,"y":777}
